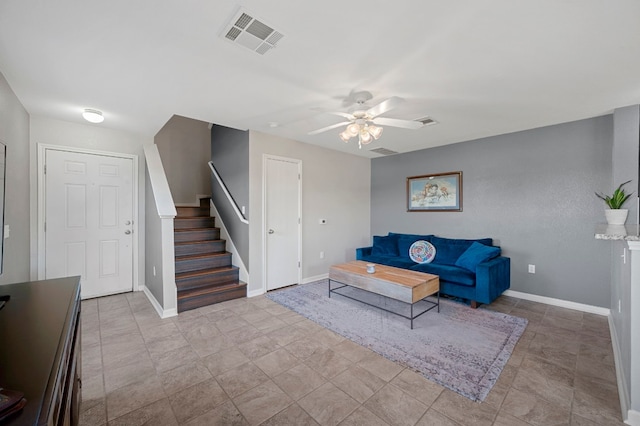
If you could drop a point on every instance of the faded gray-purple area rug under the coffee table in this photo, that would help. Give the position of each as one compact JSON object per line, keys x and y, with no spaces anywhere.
{"x":460,"y":348}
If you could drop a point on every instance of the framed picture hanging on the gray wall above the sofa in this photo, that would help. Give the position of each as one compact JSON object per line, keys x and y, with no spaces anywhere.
{"x":439,"y":192}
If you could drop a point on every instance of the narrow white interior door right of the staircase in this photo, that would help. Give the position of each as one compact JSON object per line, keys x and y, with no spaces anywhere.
{"x":282,"y":221}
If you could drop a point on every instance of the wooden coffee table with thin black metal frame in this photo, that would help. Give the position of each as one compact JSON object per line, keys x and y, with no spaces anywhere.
{"x":396,"y":283}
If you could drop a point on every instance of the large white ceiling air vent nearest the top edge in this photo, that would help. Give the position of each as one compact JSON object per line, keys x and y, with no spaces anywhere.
{"x":244,"y":29}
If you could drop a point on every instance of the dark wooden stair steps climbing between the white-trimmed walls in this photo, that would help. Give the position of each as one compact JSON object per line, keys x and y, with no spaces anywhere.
{"x":204,"y":273}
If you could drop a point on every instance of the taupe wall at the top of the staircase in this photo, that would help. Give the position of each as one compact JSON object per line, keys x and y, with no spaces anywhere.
{"x":184,"y":146}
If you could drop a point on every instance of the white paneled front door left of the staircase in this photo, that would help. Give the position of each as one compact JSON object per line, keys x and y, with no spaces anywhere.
{"x":89,"y":220}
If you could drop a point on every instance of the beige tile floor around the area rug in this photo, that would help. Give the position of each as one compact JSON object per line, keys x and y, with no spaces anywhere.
{"x":251,"y":362}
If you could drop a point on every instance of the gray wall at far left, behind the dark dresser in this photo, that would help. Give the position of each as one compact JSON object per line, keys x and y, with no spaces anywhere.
{"x":14,"y":132}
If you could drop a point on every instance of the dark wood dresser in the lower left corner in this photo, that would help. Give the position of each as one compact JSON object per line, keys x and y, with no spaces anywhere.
{"x":40,"y":350}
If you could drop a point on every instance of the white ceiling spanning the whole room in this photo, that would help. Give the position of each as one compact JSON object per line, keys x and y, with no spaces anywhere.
{"x":479,"y":68}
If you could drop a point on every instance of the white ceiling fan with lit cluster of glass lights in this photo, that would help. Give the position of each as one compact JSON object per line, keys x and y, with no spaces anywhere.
{"x":364,"y":122}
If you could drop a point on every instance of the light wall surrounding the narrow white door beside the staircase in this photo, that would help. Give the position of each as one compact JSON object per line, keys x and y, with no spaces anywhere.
{"x":336,"y":186}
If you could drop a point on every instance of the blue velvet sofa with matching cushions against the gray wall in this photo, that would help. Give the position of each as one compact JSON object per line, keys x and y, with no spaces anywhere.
{"x":469,"y":269}
